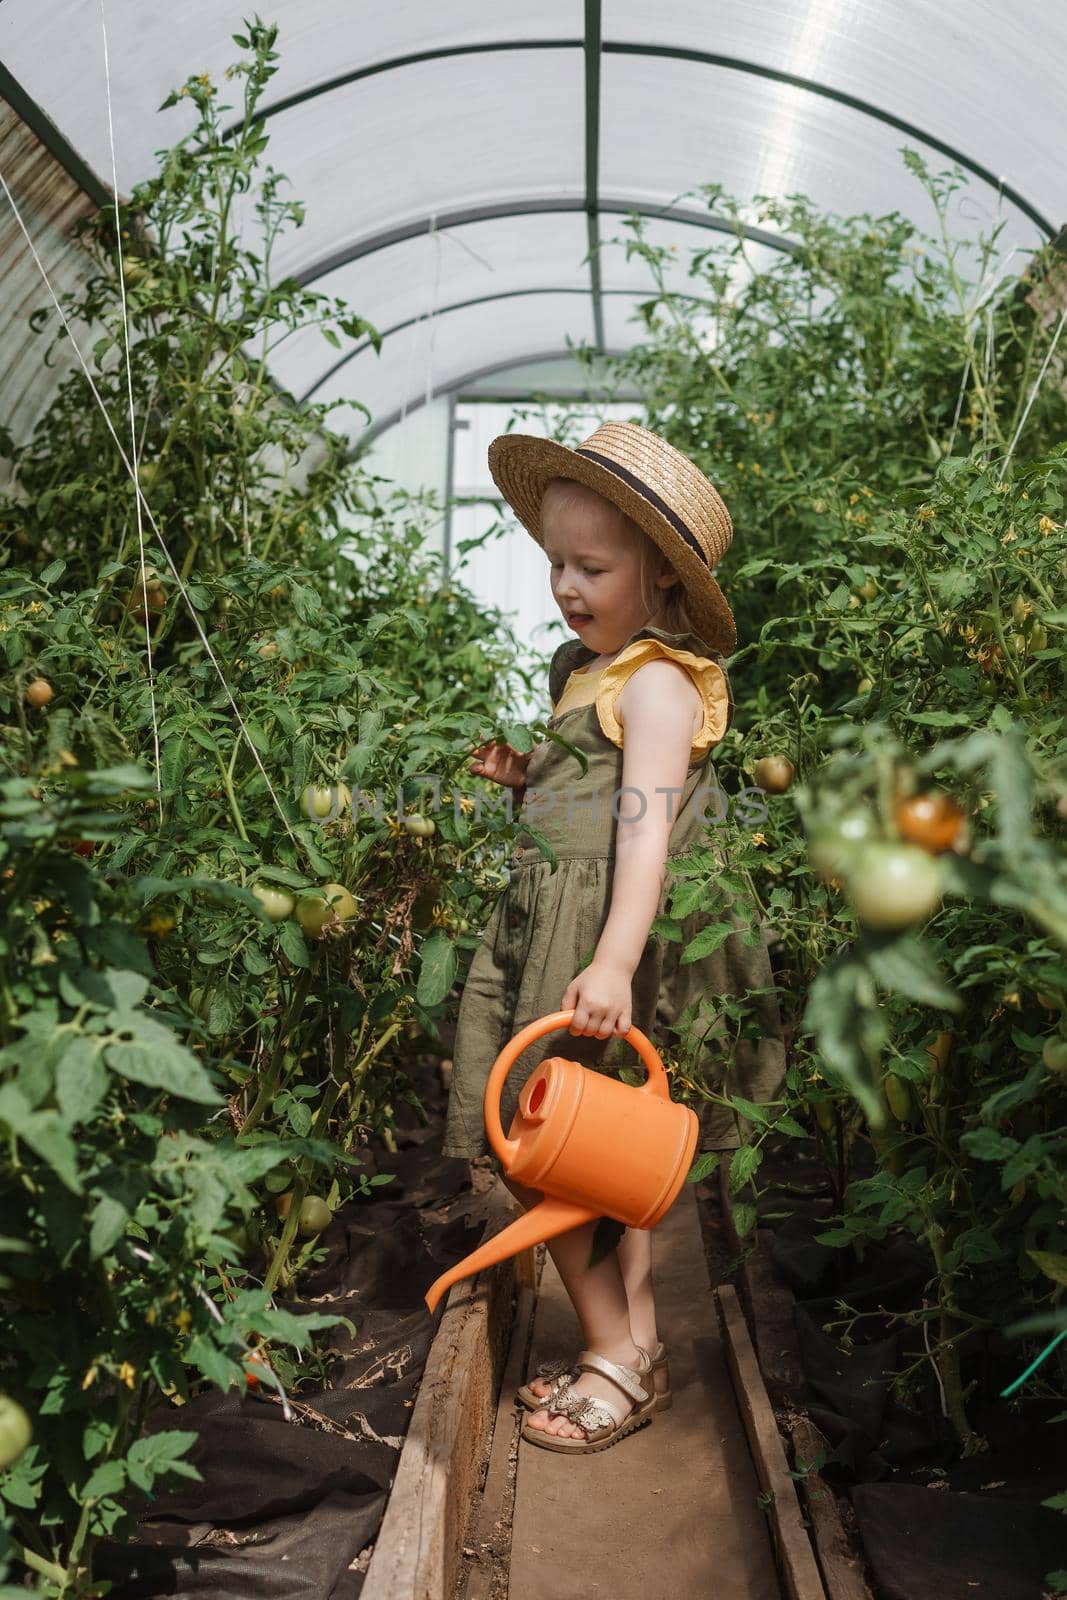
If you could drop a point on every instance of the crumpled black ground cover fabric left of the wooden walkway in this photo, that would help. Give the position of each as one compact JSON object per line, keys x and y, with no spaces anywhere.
{"x":286,"y":1508}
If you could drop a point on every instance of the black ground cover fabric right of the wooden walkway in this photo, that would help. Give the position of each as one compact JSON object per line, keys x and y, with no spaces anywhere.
{"x":933,"y":1522}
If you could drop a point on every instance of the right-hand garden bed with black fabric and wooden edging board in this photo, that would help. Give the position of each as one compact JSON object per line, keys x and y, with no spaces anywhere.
{"x":887,"y":1455}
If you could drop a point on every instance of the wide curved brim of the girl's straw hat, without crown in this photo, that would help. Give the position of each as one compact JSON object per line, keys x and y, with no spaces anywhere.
{"x":522,"y":466}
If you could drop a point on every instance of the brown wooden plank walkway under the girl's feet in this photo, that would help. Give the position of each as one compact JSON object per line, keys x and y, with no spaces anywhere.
{"x":671,"y":1511}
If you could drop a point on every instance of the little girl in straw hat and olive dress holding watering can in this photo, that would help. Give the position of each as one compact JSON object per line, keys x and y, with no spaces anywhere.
{"x":633,"y":532}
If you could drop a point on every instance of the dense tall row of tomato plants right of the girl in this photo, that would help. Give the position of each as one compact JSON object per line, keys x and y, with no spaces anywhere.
{"x":898,"y":596}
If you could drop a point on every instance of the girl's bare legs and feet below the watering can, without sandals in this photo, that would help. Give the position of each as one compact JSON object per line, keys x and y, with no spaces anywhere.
{"x":599,"y":1297}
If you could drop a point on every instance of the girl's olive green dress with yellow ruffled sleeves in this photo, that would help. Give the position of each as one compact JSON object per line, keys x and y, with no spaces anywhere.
{"x":546,"y":924}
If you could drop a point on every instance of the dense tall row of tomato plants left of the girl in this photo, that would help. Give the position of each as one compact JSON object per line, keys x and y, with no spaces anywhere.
{"x":172,"y":1047}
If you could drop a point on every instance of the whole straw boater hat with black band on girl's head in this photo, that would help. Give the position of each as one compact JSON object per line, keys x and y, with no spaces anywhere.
{"x":653,"y":484}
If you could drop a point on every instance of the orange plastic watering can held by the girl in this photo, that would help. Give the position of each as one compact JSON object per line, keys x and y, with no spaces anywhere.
{"x":593,"y":1145}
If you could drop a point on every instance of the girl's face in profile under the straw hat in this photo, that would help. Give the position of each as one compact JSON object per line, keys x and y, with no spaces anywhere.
{"x":596,"y":572}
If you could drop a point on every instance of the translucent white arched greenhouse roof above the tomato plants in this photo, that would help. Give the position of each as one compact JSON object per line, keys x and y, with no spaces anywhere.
{"x":460,"y":119}
